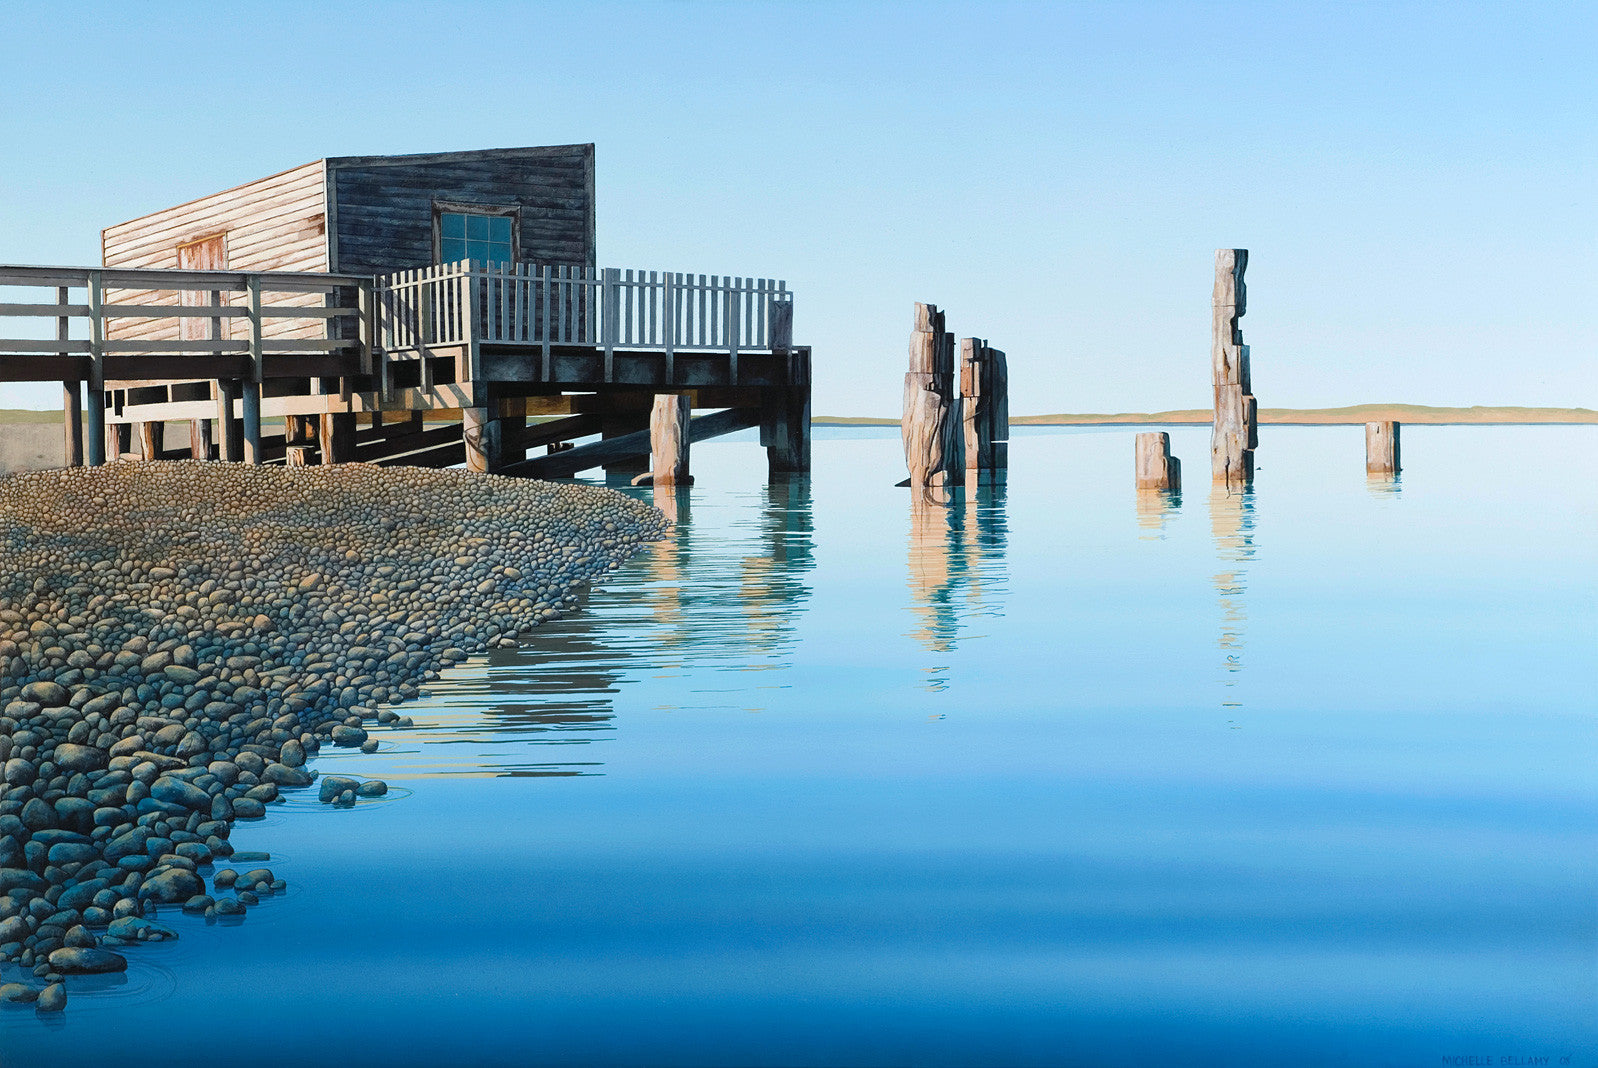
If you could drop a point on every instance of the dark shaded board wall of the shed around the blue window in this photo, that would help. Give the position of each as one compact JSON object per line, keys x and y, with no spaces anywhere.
{"x":383,"y":207}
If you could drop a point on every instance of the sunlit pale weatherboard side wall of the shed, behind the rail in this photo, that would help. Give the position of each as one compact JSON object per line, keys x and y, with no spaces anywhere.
{"x":276,"y":223}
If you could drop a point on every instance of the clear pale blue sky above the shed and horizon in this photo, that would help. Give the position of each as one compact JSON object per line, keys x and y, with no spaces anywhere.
{"x":1418,"y":185}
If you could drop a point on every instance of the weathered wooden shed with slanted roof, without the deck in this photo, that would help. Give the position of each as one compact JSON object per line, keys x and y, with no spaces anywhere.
{"x":370,"y":215}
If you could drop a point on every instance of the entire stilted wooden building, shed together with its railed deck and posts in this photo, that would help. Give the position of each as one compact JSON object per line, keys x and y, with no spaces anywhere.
{"x":418,"y":309}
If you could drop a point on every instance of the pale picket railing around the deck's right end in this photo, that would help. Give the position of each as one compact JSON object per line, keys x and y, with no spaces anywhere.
{"x":606,"y":309}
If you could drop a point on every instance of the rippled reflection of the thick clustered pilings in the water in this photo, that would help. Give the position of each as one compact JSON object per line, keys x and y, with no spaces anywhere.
{"x":956,"y":570}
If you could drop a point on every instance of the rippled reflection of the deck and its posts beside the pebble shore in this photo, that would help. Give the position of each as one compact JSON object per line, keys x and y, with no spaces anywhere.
{"x":701,"y":599}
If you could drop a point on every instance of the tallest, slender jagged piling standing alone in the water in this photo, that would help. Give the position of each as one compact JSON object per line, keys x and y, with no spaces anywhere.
{"x":1236,"y":412}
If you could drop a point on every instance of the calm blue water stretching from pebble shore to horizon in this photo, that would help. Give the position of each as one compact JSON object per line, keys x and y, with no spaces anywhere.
{"x":1306,"y":776}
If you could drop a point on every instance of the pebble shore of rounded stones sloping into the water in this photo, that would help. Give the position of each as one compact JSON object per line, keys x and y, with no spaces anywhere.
{"x":178,"y":640}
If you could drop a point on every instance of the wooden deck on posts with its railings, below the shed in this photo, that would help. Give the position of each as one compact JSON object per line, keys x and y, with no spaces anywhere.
{"x":359,"y":367}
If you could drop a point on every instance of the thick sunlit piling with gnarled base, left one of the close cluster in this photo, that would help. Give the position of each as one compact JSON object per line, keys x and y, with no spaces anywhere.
{"x":931,"y":426}
